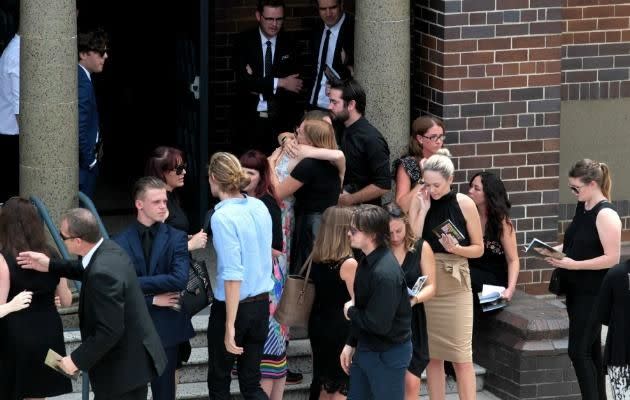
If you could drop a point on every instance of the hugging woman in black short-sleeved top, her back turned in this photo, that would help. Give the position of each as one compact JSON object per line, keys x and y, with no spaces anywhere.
{"x":315,"y":183}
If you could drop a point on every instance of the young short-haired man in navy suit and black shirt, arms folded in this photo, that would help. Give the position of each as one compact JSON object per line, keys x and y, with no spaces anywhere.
{"x":160,"y":255}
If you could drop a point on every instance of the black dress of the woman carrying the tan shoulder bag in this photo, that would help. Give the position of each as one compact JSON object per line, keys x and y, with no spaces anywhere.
{"x":328,"y":328}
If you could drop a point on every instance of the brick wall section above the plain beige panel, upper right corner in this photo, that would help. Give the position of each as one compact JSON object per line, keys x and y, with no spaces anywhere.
{"x":596,"y":50}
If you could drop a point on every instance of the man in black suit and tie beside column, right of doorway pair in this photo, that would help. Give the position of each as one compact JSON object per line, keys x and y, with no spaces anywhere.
{"x":332,"y":44}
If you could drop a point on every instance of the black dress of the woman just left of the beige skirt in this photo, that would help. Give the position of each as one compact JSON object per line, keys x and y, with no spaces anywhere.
{"x":419,"y":338}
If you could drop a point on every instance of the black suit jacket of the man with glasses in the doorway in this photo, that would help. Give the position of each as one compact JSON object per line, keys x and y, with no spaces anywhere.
{"x":248,"y":51}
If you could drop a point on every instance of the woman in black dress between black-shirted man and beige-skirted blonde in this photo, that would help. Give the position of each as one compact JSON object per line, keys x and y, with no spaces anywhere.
{"x":416,"y":259}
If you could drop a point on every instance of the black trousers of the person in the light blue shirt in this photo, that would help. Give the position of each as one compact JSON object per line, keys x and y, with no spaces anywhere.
{"x":251,"y":327}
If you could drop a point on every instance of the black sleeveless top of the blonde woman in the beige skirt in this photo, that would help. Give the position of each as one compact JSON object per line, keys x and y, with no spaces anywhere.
{"x":446,"y":207}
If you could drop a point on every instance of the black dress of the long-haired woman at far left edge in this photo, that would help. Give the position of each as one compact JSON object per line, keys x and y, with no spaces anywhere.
{"x":27,"y":336}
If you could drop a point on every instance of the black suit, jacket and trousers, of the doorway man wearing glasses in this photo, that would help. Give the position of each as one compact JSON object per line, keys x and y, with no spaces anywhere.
{"x":283,"y":106}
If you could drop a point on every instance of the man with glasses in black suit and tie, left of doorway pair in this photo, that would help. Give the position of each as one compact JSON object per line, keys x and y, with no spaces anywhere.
{"x":268,"y":82}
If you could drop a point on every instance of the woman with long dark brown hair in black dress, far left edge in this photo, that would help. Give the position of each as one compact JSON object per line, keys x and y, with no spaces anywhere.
{"x":28,"y":334}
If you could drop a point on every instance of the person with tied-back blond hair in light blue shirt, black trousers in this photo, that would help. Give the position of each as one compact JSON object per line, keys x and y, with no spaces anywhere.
{"x":239,"y":321}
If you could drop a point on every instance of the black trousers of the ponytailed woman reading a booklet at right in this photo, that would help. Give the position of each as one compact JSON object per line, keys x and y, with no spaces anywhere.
{"x":585,"y":349}
